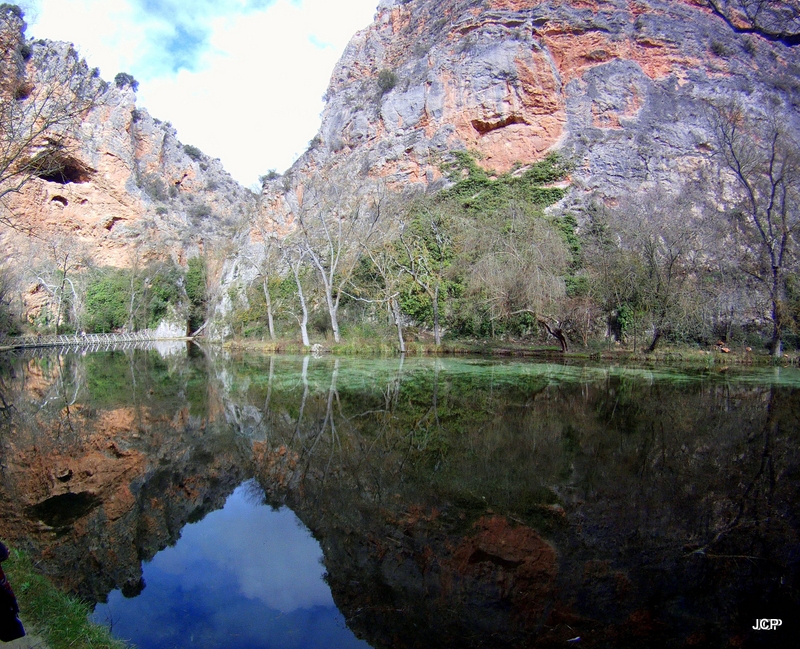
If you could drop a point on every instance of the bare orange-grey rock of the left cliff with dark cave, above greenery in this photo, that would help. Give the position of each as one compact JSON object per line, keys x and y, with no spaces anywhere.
{"x":125,"y":187}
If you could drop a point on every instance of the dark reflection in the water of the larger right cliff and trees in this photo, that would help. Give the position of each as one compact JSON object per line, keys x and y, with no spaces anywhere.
{"x":530,"y":508}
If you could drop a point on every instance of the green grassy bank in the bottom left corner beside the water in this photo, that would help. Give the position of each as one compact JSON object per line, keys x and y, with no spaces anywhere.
{"x":60,"y":619}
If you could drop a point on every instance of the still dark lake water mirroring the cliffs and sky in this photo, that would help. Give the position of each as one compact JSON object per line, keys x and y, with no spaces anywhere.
{"x":202,"y":499}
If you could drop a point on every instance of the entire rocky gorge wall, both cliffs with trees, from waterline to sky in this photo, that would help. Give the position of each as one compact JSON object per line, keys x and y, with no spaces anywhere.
{"x":580,"y":172}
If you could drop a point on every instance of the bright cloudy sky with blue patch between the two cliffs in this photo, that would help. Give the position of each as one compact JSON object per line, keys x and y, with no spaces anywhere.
{"x":240,"y":79}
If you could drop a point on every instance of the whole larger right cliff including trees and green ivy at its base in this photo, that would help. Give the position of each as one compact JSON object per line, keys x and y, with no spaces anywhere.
{"x":669,"y":128}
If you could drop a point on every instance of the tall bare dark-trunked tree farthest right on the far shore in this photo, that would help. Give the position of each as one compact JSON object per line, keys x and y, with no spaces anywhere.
{"x":764,"y":159}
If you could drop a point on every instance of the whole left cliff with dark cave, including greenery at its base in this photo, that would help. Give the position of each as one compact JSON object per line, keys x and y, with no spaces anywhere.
{"x":103,"y":208}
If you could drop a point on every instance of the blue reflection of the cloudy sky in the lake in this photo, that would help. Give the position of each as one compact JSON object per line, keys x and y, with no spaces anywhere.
{"x":244,"y":577}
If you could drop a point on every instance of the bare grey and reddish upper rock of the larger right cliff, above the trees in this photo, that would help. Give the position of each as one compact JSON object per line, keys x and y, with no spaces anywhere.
{"x":620,"y":87}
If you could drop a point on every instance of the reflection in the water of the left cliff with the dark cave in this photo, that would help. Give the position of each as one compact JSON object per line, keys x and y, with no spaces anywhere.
{"x":106,"y":457}
